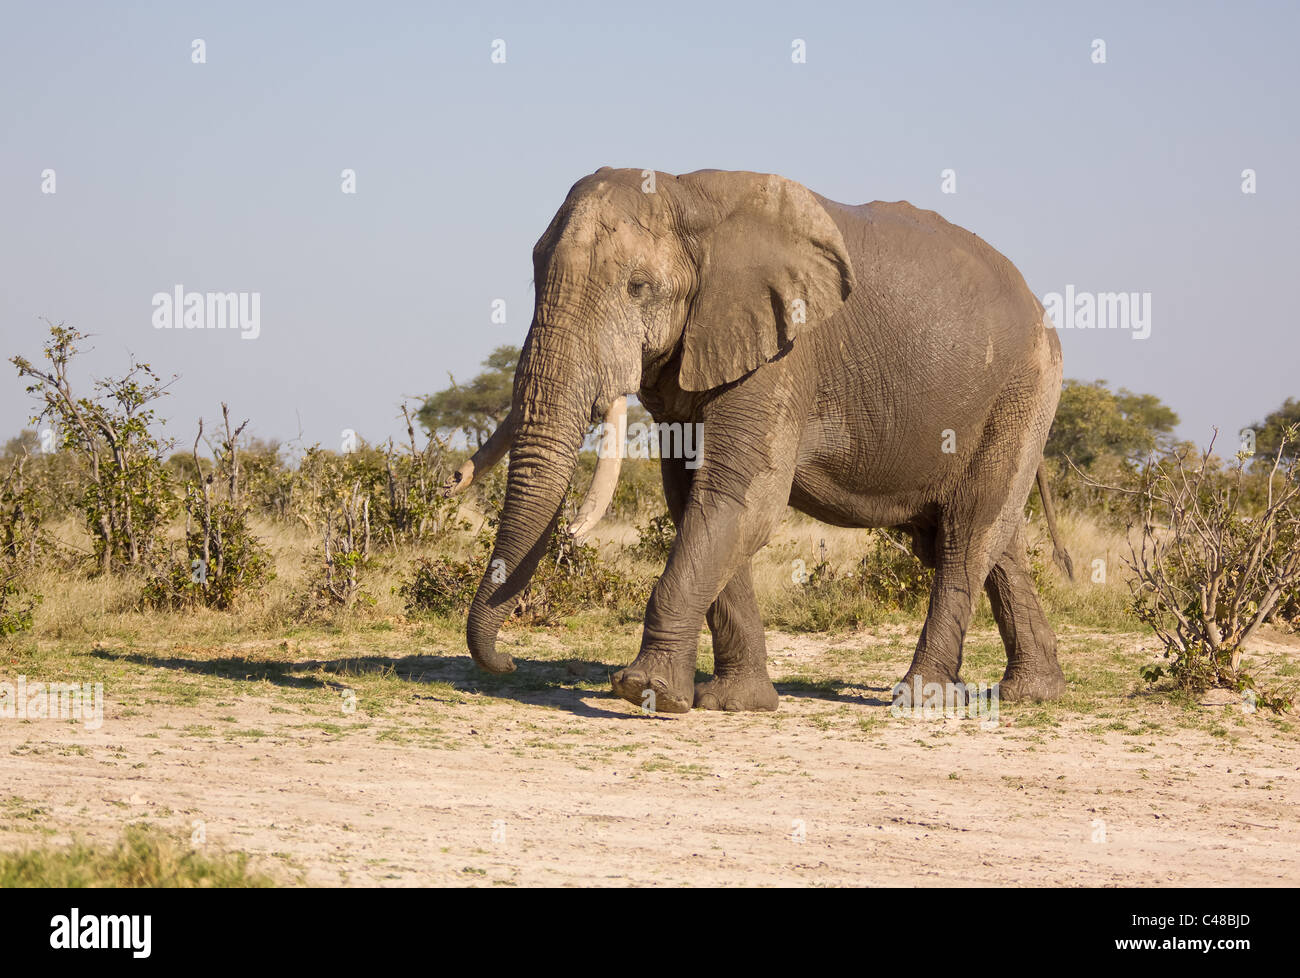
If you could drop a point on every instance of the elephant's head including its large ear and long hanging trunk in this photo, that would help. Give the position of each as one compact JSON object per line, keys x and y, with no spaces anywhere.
{"x":709,"y":275}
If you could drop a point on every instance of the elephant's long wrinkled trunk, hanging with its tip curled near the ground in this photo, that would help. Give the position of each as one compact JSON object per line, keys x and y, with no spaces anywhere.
{"x":556,"y":396}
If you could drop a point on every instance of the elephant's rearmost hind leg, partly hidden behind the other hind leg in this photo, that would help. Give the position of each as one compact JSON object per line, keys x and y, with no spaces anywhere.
{"x":1033,"y":672}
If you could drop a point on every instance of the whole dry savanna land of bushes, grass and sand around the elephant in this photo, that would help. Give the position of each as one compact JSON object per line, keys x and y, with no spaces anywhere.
{"x":287,"y":698}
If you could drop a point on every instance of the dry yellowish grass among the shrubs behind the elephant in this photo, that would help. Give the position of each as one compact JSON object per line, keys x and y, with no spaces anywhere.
{"x":79,"y":613}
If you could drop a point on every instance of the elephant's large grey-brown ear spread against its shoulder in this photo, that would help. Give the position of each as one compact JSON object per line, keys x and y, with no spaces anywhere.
{"x":772,"y":269}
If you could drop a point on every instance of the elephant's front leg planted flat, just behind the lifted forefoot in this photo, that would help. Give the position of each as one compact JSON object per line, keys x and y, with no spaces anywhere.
{"x":740,"y":652}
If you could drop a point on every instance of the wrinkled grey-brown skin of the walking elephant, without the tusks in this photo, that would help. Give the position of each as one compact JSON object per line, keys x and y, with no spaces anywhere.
{"x":830,"y":352}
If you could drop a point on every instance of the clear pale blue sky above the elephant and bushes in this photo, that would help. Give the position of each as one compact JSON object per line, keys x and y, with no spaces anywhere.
{"x":226,"y":176}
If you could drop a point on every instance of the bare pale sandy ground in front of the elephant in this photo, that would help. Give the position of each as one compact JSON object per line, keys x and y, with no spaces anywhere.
{"x":570,"y":786}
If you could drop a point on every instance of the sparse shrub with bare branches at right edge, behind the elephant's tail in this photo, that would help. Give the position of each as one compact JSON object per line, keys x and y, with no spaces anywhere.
{"x":1208,"y":573}
